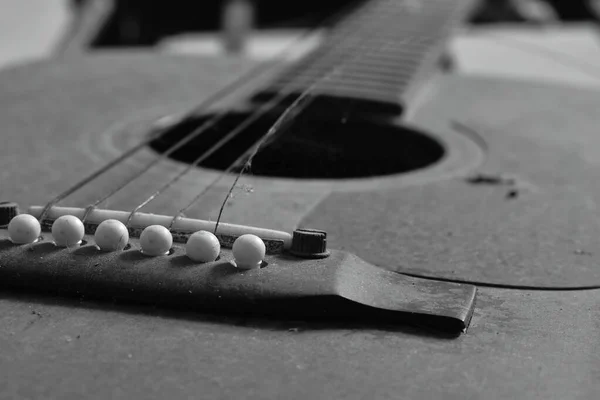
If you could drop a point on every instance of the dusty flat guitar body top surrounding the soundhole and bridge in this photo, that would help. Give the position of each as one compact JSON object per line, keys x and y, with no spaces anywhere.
{"x":510,"y":207}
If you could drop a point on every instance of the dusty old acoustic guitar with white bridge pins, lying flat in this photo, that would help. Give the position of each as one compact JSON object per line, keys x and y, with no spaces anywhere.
{"x":427,"y":235}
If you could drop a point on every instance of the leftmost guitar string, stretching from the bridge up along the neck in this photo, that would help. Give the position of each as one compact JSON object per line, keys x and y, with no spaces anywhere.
{"x":262,"y":69}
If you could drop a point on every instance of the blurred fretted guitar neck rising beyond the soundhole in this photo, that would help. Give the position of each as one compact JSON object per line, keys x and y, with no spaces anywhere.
{"x":376,"y":56}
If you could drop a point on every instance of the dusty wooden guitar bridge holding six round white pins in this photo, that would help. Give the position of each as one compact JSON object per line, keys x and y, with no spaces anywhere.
{"x":332,"y":284}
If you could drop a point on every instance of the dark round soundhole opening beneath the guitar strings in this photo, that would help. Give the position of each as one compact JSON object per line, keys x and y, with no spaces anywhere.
{"x":310,"y":148}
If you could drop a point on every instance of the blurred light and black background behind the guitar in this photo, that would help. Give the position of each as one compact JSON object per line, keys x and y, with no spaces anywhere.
{"x":538,"y":39}
